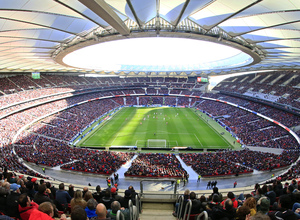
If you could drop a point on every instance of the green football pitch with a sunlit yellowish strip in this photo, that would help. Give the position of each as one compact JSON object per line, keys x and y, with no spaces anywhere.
{"x":158,"y":127}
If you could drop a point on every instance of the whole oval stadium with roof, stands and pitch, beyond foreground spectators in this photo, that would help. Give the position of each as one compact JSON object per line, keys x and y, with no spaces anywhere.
{"x":153,"y":91}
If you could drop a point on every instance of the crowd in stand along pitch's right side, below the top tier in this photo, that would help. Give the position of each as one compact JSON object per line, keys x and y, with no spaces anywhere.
{"x":259,"y":131}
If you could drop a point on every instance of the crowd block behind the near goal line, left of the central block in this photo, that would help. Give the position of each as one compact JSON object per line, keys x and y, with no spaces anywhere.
{"x":49,"y":152}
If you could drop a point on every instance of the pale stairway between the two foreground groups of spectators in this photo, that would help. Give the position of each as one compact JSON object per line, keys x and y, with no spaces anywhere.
{"x":157,"y":211}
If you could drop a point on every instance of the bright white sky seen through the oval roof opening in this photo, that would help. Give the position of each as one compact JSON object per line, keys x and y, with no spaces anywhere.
{"x":153,"y":54}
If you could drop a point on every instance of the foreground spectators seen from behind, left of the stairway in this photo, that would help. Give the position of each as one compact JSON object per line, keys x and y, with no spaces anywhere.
{"x":27,"y":198}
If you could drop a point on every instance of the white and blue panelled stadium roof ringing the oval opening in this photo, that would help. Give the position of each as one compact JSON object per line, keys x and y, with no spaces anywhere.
{"x":35,"y":35}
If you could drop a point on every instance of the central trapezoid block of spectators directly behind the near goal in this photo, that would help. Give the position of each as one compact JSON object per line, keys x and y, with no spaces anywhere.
{"x":156,"y":165}
